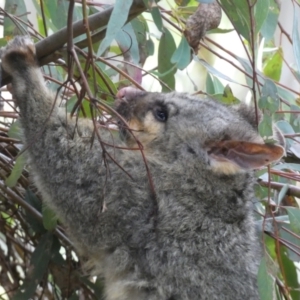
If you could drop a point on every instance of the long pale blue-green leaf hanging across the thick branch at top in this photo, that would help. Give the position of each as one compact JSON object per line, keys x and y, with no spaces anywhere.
{"x":116,"y":21}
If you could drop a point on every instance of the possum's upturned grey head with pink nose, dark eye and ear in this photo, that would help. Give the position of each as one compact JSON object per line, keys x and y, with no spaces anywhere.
{"x":222,"y":137}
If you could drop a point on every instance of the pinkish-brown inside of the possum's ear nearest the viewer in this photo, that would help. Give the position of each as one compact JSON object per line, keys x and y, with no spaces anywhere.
{"x":246,"y":155}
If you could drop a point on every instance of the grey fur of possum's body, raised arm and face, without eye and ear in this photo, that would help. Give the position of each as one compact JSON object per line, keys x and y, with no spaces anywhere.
{"x":193,"y":238}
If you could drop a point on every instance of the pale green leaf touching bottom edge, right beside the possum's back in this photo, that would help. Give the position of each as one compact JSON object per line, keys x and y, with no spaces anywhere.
{"x":265,"y":282}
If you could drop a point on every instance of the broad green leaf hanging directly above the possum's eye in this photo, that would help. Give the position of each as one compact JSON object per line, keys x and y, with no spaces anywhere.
{"x":166,"y":68}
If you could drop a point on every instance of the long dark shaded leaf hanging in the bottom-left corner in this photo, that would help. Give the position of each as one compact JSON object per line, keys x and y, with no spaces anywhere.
{"x":39,"y":263}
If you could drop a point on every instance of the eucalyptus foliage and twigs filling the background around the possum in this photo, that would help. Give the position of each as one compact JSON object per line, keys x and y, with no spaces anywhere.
{"x":251,"y":53}
